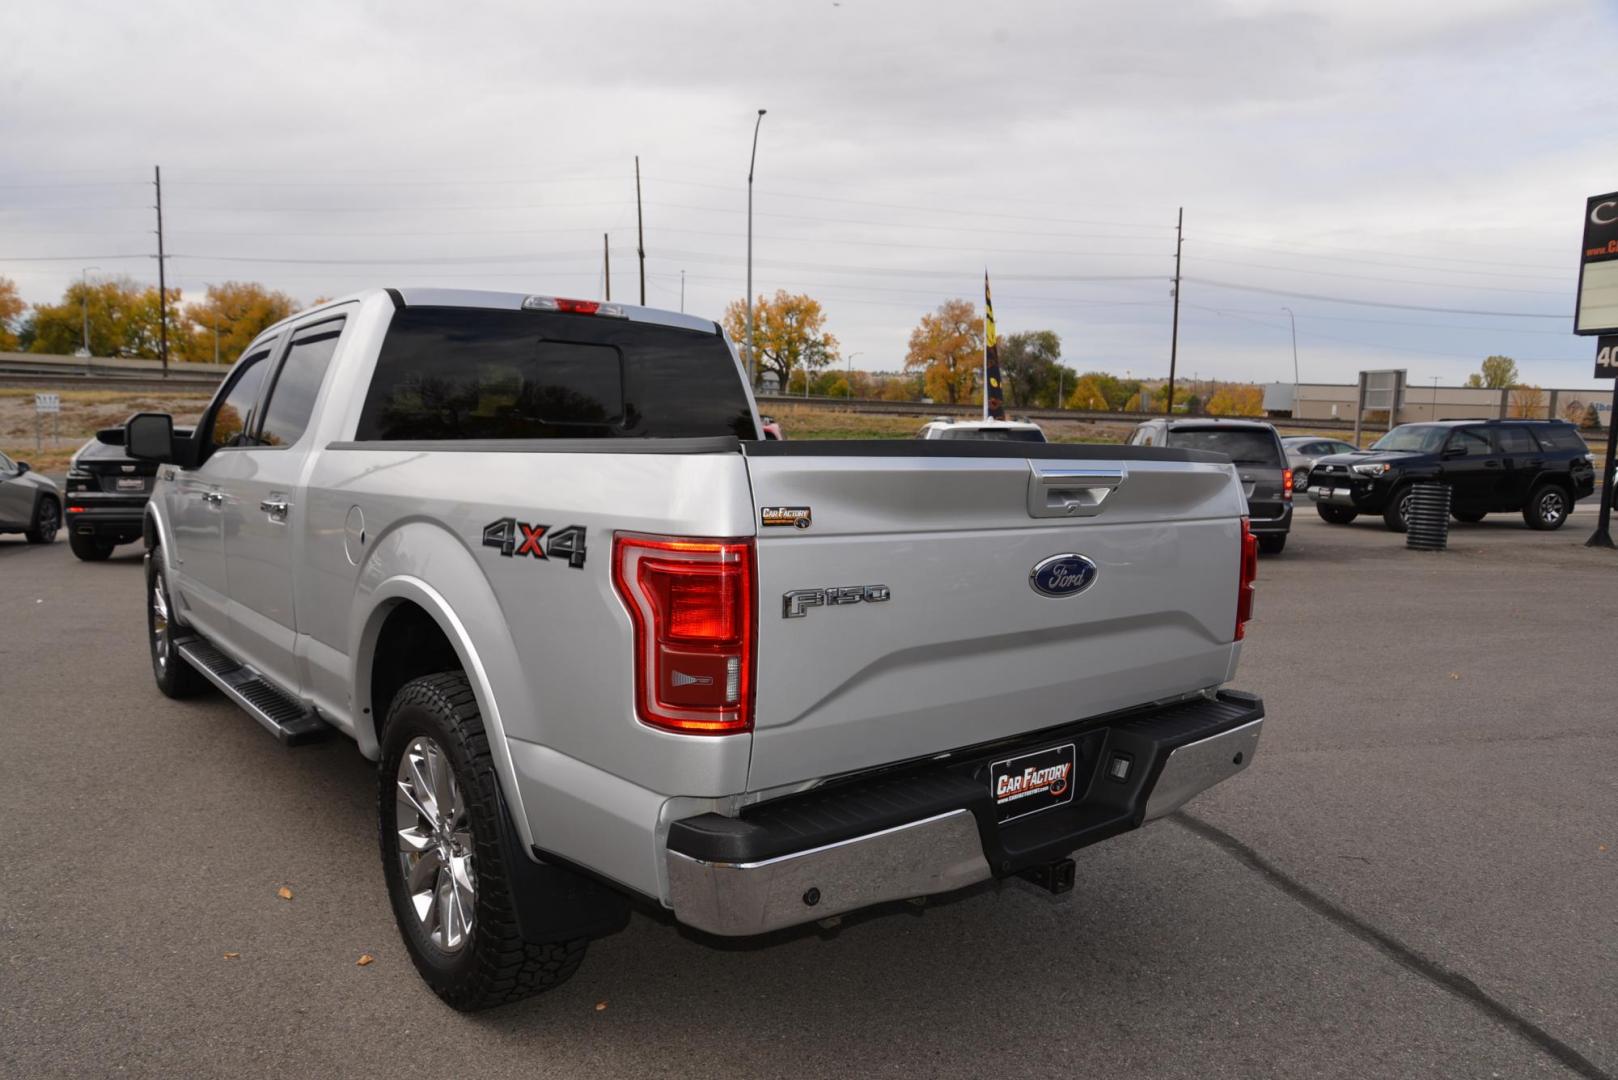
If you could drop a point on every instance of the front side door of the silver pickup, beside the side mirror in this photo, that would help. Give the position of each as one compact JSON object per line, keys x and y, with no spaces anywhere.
{"x":193,"y":501}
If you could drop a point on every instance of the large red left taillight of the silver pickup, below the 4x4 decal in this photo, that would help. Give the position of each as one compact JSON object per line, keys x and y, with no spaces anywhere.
{"x":692,"y":605}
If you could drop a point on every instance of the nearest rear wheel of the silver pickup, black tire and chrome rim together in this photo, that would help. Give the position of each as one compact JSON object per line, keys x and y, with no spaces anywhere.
{"x":452,"y":895}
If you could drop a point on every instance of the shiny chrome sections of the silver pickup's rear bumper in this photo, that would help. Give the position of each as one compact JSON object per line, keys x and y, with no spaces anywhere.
{"x":938,"y":854}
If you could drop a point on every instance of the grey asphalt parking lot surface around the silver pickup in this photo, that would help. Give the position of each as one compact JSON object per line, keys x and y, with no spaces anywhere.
{"x":1417,"y":878}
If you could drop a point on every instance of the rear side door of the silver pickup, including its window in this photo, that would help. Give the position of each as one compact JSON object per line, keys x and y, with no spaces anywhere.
{"x":263,"y":516}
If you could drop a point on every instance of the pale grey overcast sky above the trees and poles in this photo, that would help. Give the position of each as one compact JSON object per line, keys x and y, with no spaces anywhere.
{"x":1428,"y":161}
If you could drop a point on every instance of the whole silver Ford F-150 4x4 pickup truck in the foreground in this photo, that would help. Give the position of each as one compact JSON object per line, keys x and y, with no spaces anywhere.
{"x":609,"y":648}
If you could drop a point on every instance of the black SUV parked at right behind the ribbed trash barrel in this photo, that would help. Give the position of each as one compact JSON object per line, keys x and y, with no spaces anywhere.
{"x":1540,"y":467}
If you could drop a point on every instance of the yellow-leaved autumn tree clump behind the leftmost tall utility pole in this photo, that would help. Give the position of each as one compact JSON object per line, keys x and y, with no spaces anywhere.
{"x":124,"y":320}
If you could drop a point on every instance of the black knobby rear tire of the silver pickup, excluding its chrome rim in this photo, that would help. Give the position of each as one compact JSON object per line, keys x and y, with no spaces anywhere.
{"x":494,"y":966}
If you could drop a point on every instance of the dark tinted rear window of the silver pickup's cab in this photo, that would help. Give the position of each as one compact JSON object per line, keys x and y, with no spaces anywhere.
{"x":473,"y":373}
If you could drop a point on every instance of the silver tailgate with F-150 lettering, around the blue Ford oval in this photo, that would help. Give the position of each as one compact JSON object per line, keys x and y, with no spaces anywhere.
{"x":957,"y":648}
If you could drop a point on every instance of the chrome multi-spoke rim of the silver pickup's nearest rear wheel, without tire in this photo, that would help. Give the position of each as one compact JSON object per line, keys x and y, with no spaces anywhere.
{"x":436,"y":844}
